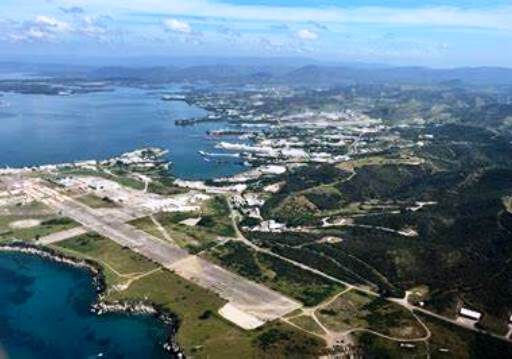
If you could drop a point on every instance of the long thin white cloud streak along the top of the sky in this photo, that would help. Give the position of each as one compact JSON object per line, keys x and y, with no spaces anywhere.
{"x":439,"y":16}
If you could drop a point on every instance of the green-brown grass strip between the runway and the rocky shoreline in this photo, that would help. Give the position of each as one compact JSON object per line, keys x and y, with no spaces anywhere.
{"x":202,"y":332}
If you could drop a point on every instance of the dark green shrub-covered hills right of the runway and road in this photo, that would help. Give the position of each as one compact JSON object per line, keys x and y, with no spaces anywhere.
{"x":463,"y":242}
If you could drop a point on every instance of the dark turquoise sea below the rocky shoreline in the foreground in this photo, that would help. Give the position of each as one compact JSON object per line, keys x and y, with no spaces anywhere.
{"x":44,"y":313}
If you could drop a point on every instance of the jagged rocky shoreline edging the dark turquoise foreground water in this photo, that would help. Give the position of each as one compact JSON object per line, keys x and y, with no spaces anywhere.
{"x":101,"y":306}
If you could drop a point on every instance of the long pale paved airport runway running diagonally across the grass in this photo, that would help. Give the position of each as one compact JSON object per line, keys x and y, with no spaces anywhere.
{"x":258,"y":303}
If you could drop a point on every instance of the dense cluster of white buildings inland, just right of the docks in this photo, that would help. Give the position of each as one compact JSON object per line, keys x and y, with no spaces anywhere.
{"x":311,"y":138}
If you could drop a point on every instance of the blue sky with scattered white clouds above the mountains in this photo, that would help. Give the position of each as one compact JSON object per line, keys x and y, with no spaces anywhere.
{"x":398,"y":32}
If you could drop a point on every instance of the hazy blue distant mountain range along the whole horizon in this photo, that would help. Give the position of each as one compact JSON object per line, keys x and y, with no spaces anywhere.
{"x":278,"y":72}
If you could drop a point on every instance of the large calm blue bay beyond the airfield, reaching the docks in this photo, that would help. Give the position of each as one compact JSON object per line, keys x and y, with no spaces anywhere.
{"x":40,"y":129}
